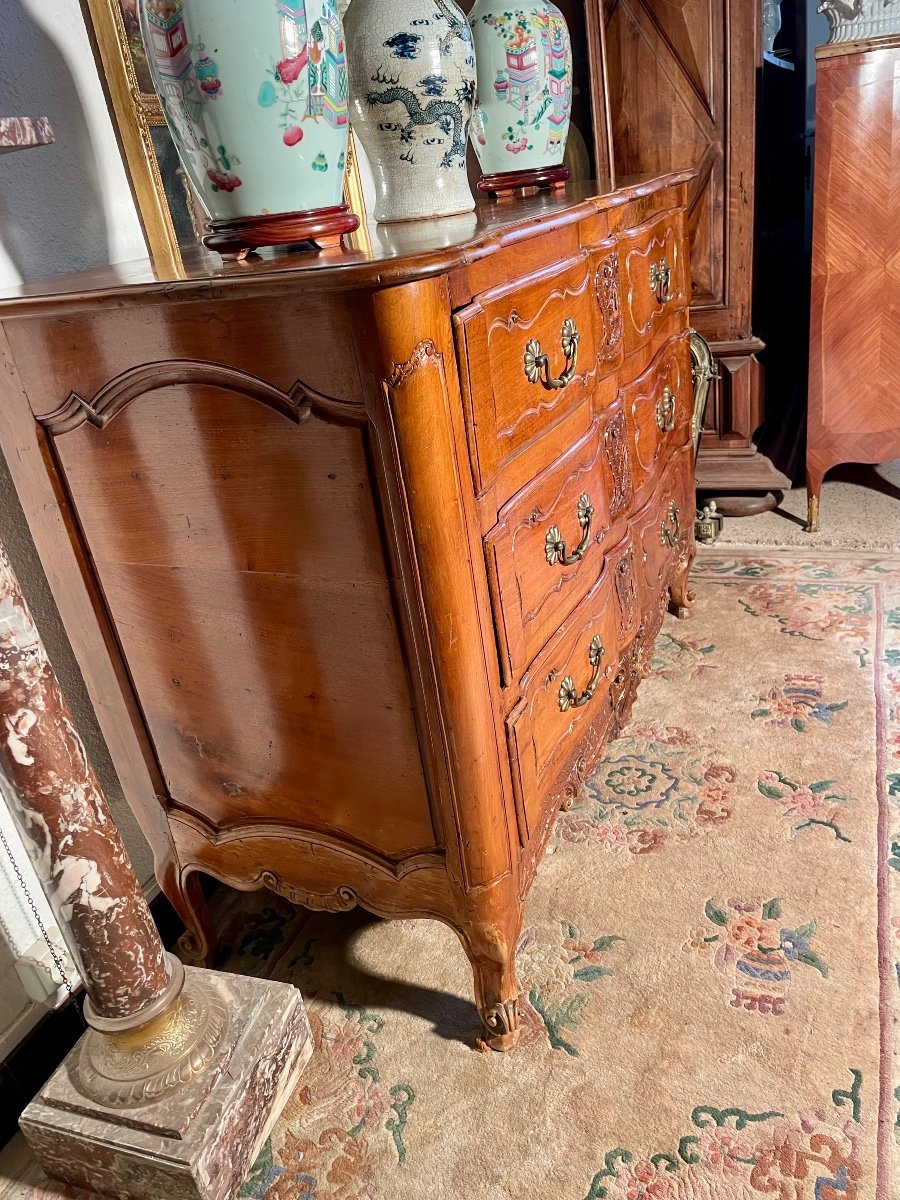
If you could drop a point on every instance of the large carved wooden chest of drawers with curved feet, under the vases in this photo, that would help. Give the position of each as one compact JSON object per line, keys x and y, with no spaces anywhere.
{"x":363,"y":555}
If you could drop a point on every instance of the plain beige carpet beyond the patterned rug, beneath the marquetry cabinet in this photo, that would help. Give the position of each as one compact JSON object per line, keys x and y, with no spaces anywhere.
{"x":860,"y":511}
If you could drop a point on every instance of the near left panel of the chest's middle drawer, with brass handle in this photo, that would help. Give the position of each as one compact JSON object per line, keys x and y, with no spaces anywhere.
{"x":545,"y":551}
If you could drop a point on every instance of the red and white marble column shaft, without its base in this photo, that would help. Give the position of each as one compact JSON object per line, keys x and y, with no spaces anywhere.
{"x":68,"y":829}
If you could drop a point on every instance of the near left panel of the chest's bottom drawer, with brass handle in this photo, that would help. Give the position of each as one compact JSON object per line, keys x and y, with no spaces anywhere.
{"x":565,"y":693}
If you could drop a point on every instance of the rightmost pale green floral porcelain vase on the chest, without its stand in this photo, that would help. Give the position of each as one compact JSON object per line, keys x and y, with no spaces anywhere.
{"x":525,"y":86}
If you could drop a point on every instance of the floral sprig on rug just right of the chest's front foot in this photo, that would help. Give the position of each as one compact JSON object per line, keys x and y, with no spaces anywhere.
{"x":557,"y":980}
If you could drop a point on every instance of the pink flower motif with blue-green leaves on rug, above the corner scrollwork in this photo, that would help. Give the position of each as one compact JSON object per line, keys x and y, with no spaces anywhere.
{"x":757,"y":952}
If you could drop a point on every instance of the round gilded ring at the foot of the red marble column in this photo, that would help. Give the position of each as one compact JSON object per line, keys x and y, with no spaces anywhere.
{"x":147,"y":1065}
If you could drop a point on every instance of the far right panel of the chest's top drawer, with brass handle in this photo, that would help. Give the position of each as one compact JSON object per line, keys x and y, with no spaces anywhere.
{"x":655,"y":280}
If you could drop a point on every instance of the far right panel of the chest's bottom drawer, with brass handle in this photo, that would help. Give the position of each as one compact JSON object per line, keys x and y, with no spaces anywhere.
{"x":664,"y":530}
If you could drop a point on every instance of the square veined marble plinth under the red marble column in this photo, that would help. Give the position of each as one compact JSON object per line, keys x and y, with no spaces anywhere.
{"x":112,"y":1123}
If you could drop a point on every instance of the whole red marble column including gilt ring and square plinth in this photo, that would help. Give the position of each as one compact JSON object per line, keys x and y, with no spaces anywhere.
{"x":177,"y":1083}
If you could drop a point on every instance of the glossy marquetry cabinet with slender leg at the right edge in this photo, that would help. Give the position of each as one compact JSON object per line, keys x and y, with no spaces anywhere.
{"x":855,"y":328}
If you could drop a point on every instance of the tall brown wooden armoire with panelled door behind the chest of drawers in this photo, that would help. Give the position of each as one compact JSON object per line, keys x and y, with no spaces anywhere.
{"x":675,"y":86}
